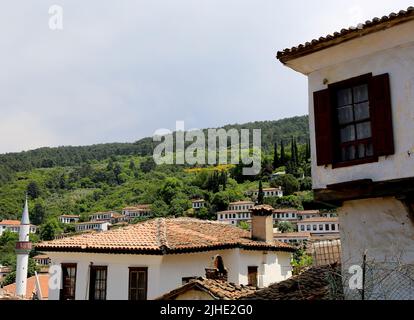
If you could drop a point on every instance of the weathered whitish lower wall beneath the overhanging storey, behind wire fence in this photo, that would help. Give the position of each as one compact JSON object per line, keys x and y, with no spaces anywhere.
{"x":382,"y":229}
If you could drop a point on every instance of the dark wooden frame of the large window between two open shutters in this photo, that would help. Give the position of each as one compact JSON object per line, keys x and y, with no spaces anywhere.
{"x":337,"y":144}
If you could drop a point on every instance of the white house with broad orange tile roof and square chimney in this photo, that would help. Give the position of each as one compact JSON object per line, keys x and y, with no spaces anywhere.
{"x":151,"y":258}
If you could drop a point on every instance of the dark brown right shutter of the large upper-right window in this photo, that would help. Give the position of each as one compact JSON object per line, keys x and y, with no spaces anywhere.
{"x":381,"y":114}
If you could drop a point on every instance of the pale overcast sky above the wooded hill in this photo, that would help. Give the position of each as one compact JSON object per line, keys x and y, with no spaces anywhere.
{"x":121,"y":69}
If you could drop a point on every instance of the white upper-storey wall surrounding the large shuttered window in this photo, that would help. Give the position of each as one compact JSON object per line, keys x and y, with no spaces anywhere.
{"x":390,"y":51}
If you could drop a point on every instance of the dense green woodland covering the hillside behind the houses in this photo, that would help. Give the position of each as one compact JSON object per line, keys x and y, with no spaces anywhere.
{"x":84,"y":180}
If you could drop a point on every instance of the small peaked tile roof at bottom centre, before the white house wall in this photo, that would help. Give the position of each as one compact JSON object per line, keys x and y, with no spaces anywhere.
{"x":217,"y":289}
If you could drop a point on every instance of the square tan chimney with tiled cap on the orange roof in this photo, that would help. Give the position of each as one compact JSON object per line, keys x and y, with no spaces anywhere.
{"x":262,"y":223}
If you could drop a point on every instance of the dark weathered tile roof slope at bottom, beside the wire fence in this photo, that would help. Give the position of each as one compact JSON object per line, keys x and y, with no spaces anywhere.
{"x":316,"y":283}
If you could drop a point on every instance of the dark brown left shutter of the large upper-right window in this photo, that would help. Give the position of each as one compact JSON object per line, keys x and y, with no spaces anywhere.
{"x":323,"y":127}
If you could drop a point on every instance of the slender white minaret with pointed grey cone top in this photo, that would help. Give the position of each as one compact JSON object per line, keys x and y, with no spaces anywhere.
{"x":23,"y":247}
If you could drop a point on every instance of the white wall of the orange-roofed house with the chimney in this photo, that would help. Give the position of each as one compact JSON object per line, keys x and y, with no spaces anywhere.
{"x":165,"y":273}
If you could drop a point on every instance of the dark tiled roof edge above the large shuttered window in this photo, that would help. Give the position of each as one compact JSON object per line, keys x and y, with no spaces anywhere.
{"x":370,"y":26}
